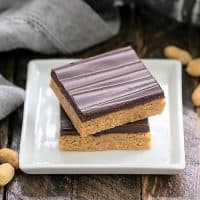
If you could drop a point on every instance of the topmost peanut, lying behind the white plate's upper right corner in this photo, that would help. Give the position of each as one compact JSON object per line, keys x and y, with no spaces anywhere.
{"x":177,"y":53}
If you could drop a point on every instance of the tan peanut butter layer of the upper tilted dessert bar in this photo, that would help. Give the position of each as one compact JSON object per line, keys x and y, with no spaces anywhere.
{"x":109,"y":120}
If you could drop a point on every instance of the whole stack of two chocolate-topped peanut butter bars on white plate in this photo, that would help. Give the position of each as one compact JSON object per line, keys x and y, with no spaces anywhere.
{"x":106,"y":102}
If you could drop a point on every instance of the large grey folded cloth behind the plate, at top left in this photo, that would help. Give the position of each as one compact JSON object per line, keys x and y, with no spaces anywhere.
{"x":52,"y":26}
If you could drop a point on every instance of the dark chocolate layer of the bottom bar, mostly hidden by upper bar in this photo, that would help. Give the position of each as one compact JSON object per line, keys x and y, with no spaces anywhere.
{"x":67,"y":128}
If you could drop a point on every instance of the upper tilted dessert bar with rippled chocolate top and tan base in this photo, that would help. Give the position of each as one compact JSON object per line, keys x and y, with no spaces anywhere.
{"x":107,"y":90}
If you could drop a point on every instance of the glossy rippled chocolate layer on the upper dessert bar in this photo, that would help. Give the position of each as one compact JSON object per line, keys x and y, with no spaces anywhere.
{"x":106,"y":83}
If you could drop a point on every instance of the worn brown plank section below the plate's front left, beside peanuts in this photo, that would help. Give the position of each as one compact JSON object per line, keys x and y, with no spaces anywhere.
{"x":27,"y":187}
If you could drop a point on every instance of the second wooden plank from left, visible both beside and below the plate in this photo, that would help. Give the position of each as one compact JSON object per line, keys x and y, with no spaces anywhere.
{"x":26,"y":186}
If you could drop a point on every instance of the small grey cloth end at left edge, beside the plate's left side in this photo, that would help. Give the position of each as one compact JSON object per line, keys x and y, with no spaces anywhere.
{"x":11,"y":97}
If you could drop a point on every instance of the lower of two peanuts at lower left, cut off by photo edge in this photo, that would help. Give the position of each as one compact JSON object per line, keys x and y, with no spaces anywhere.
{"x":7,"y":172}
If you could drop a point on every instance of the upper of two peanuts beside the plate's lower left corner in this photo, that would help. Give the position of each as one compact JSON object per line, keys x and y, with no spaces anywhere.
{"x":9,"y":156}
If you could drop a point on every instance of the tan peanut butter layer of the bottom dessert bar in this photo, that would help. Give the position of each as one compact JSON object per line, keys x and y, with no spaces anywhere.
{"x":117,"y":141}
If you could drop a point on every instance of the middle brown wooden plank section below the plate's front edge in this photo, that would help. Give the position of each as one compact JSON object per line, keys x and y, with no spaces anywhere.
{"x":106,"y":187}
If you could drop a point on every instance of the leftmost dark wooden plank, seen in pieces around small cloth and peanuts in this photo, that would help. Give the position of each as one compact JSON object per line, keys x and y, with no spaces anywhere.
{"x":6,"y":69}
